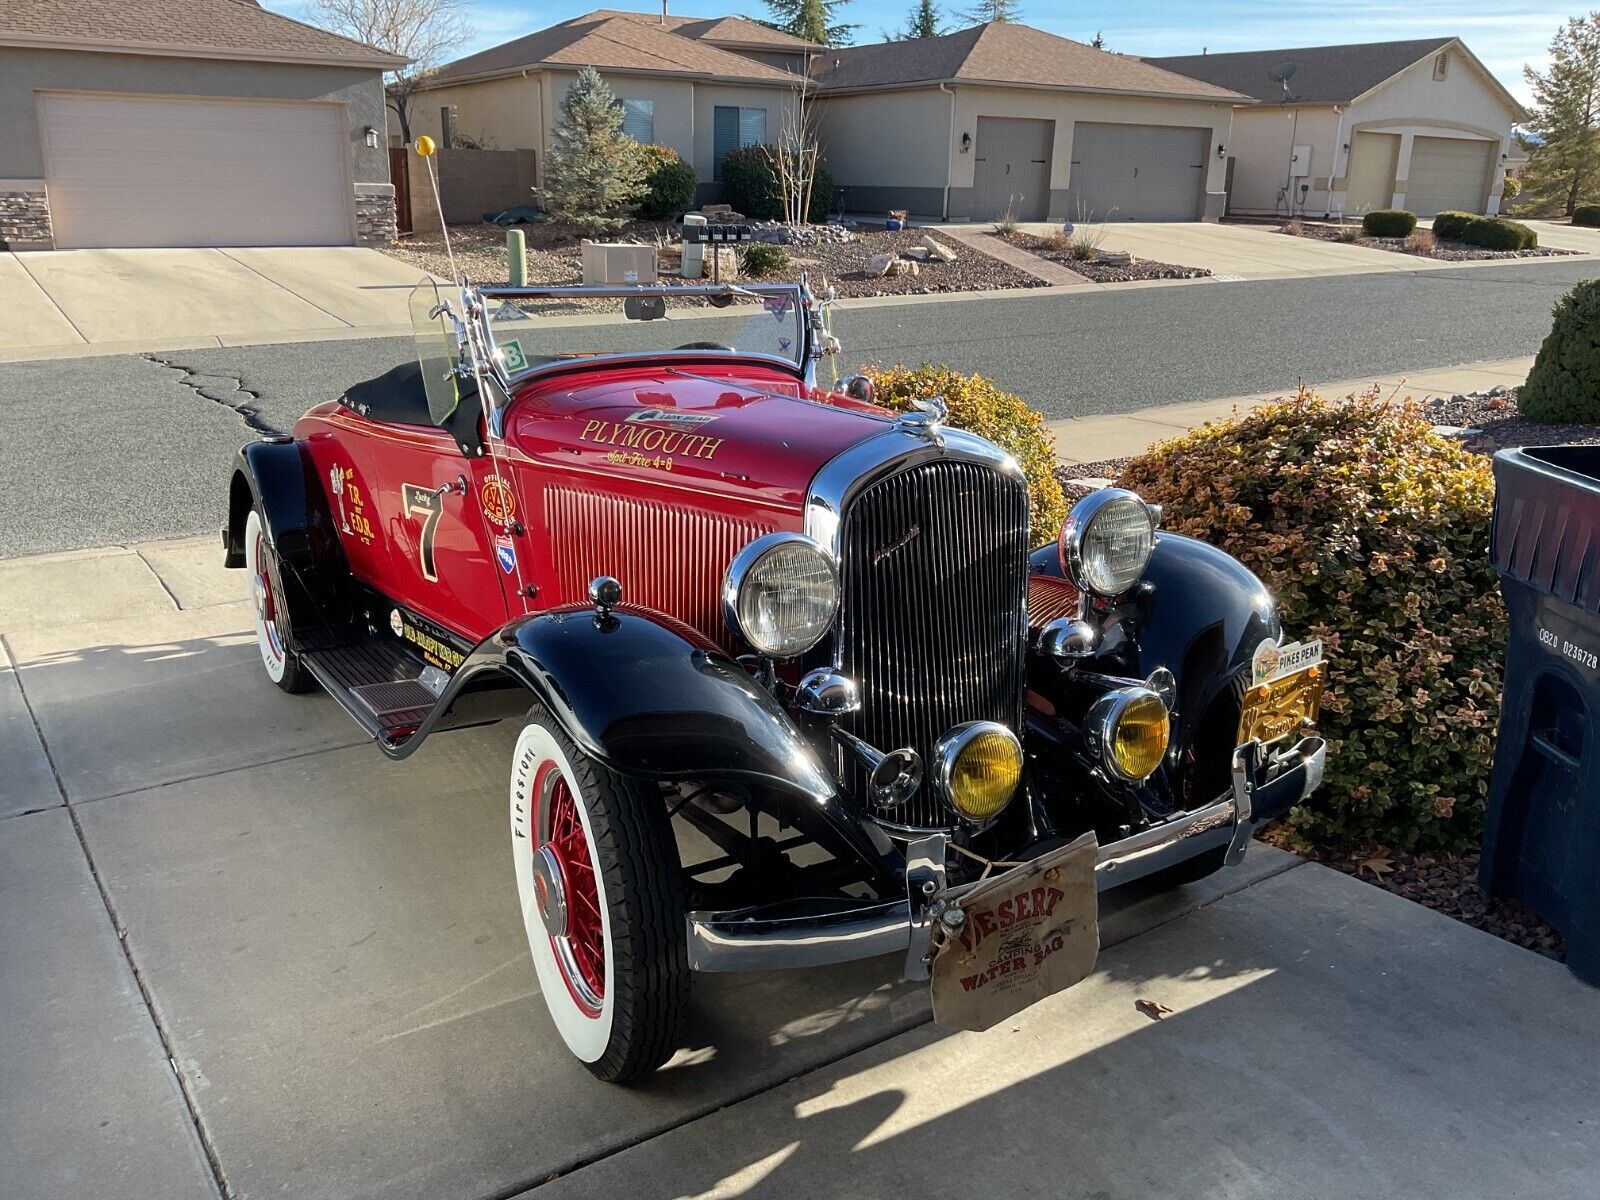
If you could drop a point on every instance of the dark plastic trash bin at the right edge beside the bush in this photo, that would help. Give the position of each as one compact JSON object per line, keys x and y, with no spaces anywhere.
{"x":1542,"y":839}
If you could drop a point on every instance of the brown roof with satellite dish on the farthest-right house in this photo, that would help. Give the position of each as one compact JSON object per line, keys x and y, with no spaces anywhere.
{"x":1322,"y":74}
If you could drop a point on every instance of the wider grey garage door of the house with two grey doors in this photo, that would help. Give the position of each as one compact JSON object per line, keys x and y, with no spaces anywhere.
{"x":1138,"y":172}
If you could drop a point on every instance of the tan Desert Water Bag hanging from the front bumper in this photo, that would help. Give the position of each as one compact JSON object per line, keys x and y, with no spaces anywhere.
{"x":1030,"y":934}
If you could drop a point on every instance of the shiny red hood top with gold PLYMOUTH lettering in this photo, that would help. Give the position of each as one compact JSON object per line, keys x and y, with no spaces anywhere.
{"x":727,"y":428}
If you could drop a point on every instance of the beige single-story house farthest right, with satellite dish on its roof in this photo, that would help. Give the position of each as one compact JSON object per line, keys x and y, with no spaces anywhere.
{"x":1418,"y":126}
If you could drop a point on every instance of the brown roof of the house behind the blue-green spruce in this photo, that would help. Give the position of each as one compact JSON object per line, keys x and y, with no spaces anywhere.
{"x":612,"y":44}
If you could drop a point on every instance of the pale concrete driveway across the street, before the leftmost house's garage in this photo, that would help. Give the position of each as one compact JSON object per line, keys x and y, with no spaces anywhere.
{"x":118,"y":302}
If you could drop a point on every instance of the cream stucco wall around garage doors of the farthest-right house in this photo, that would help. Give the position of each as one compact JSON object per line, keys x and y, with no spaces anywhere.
{"x":1414,"y":105}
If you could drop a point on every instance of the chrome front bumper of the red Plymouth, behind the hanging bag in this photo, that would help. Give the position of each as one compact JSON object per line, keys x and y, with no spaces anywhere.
{"x":748,"y":942}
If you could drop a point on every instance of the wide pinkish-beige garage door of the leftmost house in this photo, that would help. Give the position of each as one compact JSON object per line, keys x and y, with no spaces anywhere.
{"x":145,"y":172}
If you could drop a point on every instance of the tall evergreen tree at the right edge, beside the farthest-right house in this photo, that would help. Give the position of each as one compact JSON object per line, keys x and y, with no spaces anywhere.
{"x":1567,"y":118}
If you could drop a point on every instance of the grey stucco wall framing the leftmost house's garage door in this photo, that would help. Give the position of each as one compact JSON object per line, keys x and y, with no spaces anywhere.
{"x":28,"y":71}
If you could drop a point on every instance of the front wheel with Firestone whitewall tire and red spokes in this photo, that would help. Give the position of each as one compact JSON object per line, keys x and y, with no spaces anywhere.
{"x":602,"y":900}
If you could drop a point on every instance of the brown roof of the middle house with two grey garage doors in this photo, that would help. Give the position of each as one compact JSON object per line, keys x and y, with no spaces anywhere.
{"x":1002,"y":54}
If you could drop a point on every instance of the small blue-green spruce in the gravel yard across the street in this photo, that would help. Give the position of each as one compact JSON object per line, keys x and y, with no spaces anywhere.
{"x":594,"y":174}
